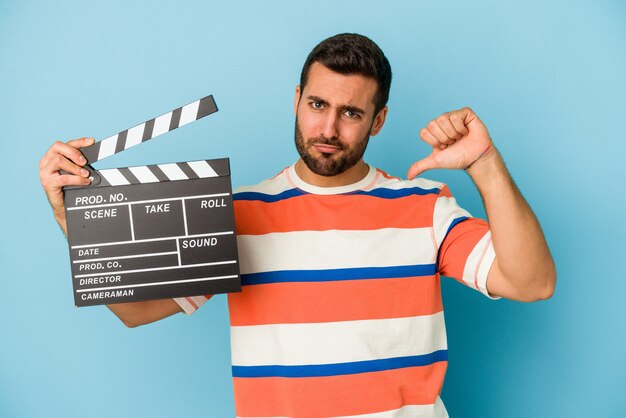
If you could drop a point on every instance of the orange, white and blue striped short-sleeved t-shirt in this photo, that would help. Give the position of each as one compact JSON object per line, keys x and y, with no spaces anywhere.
{"x":340,"y":312}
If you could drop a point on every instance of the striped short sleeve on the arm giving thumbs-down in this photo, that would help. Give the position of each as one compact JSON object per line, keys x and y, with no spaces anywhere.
{"x":465,"y":250}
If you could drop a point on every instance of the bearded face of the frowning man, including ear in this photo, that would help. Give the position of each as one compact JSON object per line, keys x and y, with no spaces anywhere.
{"x":334,"y":120}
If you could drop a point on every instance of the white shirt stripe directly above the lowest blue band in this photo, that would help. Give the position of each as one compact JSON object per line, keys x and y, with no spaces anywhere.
{"x":337,"y":342}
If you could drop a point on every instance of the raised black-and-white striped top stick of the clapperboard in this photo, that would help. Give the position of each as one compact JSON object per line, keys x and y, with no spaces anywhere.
{"x":149,"y":129}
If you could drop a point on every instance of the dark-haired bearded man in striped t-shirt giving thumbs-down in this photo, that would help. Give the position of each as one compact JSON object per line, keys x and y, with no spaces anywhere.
{"x":340,"y":312}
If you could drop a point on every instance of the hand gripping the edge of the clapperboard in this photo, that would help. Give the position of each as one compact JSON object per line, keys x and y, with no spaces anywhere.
{"x":67,"y":157}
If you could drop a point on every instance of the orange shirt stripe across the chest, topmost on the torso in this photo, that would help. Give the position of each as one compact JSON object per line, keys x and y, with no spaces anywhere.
{"x":345,"y":212}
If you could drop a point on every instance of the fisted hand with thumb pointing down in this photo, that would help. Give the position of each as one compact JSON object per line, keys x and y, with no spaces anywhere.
{"x":459,"y":138}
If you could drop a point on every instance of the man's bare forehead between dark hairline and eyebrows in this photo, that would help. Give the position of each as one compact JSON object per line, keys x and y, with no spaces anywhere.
{"x":340,"y":89}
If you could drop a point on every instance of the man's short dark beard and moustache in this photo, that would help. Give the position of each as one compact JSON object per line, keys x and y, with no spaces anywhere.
{"x":329,"y":164}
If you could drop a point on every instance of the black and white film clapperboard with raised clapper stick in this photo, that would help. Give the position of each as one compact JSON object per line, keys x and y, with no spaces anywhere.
{"x":155,"y":231}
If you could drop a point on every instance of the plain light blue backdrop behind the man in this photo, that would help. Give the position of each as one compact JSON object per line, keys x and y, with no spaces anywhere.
{"x":547,"y":79}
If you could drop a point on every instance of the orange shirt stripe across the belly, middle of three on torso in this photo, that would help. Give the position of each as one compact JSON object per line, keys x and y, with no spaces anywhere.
{"x":283,"y":303}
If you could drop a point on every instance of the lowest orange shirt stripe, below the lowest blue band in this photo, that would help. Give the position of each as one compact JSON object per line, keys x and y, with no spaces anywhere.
{"x":339,"y":395}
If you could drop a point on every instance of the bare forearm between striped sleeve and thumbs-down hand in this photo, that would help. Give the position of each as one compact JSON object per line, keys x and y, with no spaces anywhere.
{"x":524,"y":269}
